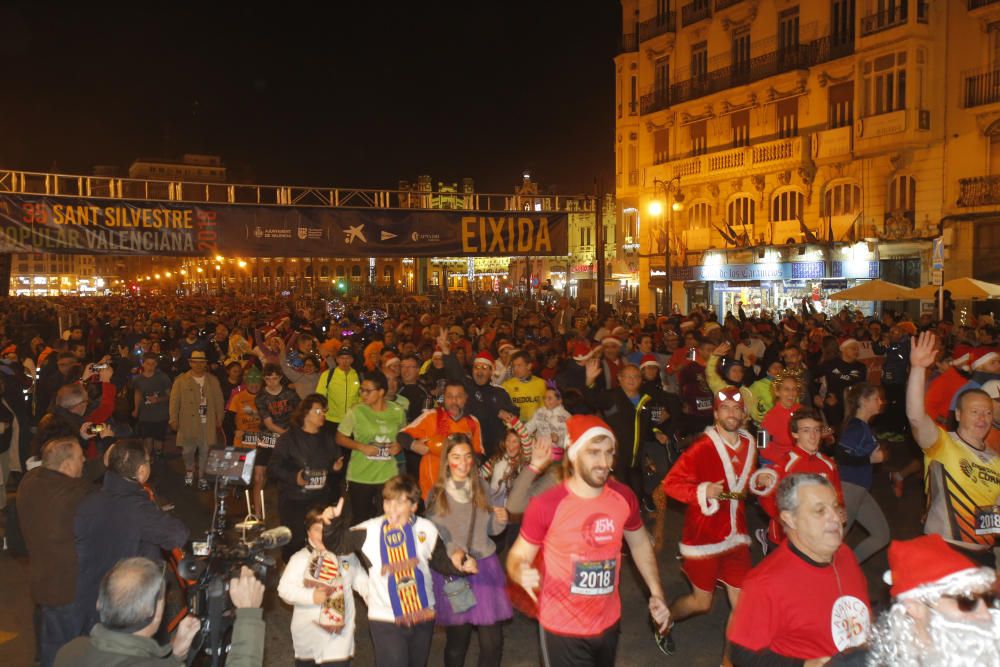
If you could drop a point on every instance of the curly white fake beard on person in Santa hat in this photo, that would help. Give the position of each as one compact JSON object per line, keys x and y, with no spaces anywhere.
{"x":895,"y":641}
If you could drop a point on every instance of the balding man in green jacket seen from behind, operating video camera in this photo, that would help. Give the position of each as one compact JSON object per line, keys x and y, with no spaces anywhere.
{"x":131,"y":603}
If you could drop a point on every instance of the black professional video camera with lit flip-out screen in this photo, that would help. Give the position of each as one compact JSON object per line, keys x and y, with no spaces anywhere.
{"x":223,"y":554}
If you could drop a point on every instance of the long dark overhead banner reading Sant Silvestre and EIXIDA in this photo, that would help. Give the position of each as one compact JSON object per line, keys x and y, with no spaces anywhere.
{"x":69,"y":225}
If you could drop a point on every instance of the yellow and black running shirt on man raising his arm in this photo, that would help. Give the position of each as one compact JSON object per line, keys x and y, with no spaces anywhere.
{"x":959,"y":479}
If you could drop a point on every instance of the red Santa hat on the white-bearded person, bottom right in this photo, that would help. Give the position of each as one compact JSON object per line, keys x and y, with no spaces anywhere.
{"x":926,"y":568}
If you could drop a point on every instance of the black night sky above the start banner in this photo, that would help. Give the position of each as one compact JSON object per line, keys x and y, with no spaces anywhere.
{"x":351,"y":94}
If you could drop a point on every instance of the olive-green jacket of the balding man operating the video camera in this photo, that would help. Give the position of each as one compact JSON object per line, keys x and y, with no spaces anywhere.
{"x":107,"y":648}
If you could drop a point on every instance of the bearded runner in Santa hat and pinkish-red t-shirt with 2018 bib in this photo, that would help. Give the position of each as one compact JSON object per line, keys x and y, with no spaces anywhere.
{"x":581,"y":524}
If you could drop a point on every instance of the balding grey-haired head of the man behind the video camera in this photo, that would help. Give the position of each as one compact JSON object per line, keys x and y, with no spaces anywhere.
{"x":129,"y":594}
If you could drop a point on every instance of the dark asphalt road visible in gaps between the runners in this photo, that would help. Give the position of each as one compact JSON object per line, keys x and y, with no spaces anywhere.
{"x":699,"y":640}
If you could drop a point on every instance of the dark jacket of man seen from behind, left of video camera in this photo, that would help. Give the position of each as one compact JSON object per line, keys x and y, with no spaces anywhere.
{"x":120,"y":521}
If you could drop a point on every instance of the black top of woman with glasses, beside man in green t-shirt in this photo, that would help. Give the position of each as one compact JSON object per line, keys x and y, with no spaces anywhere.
{"x":297,"y":450}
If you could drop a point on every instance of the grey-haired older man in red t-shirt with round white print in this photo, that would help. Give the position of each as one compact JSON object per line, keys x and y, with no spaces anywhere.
{"x":808,"y":601}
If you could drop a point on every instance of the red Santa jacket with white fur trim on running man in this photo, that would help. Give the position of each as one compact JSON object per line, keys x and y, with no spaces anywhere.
{"x":712,"y":527}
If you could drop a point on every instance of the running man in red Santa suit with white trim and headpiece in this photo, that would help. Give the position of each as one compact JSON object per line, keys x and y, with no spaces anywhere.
{"x":713,"y":478}
